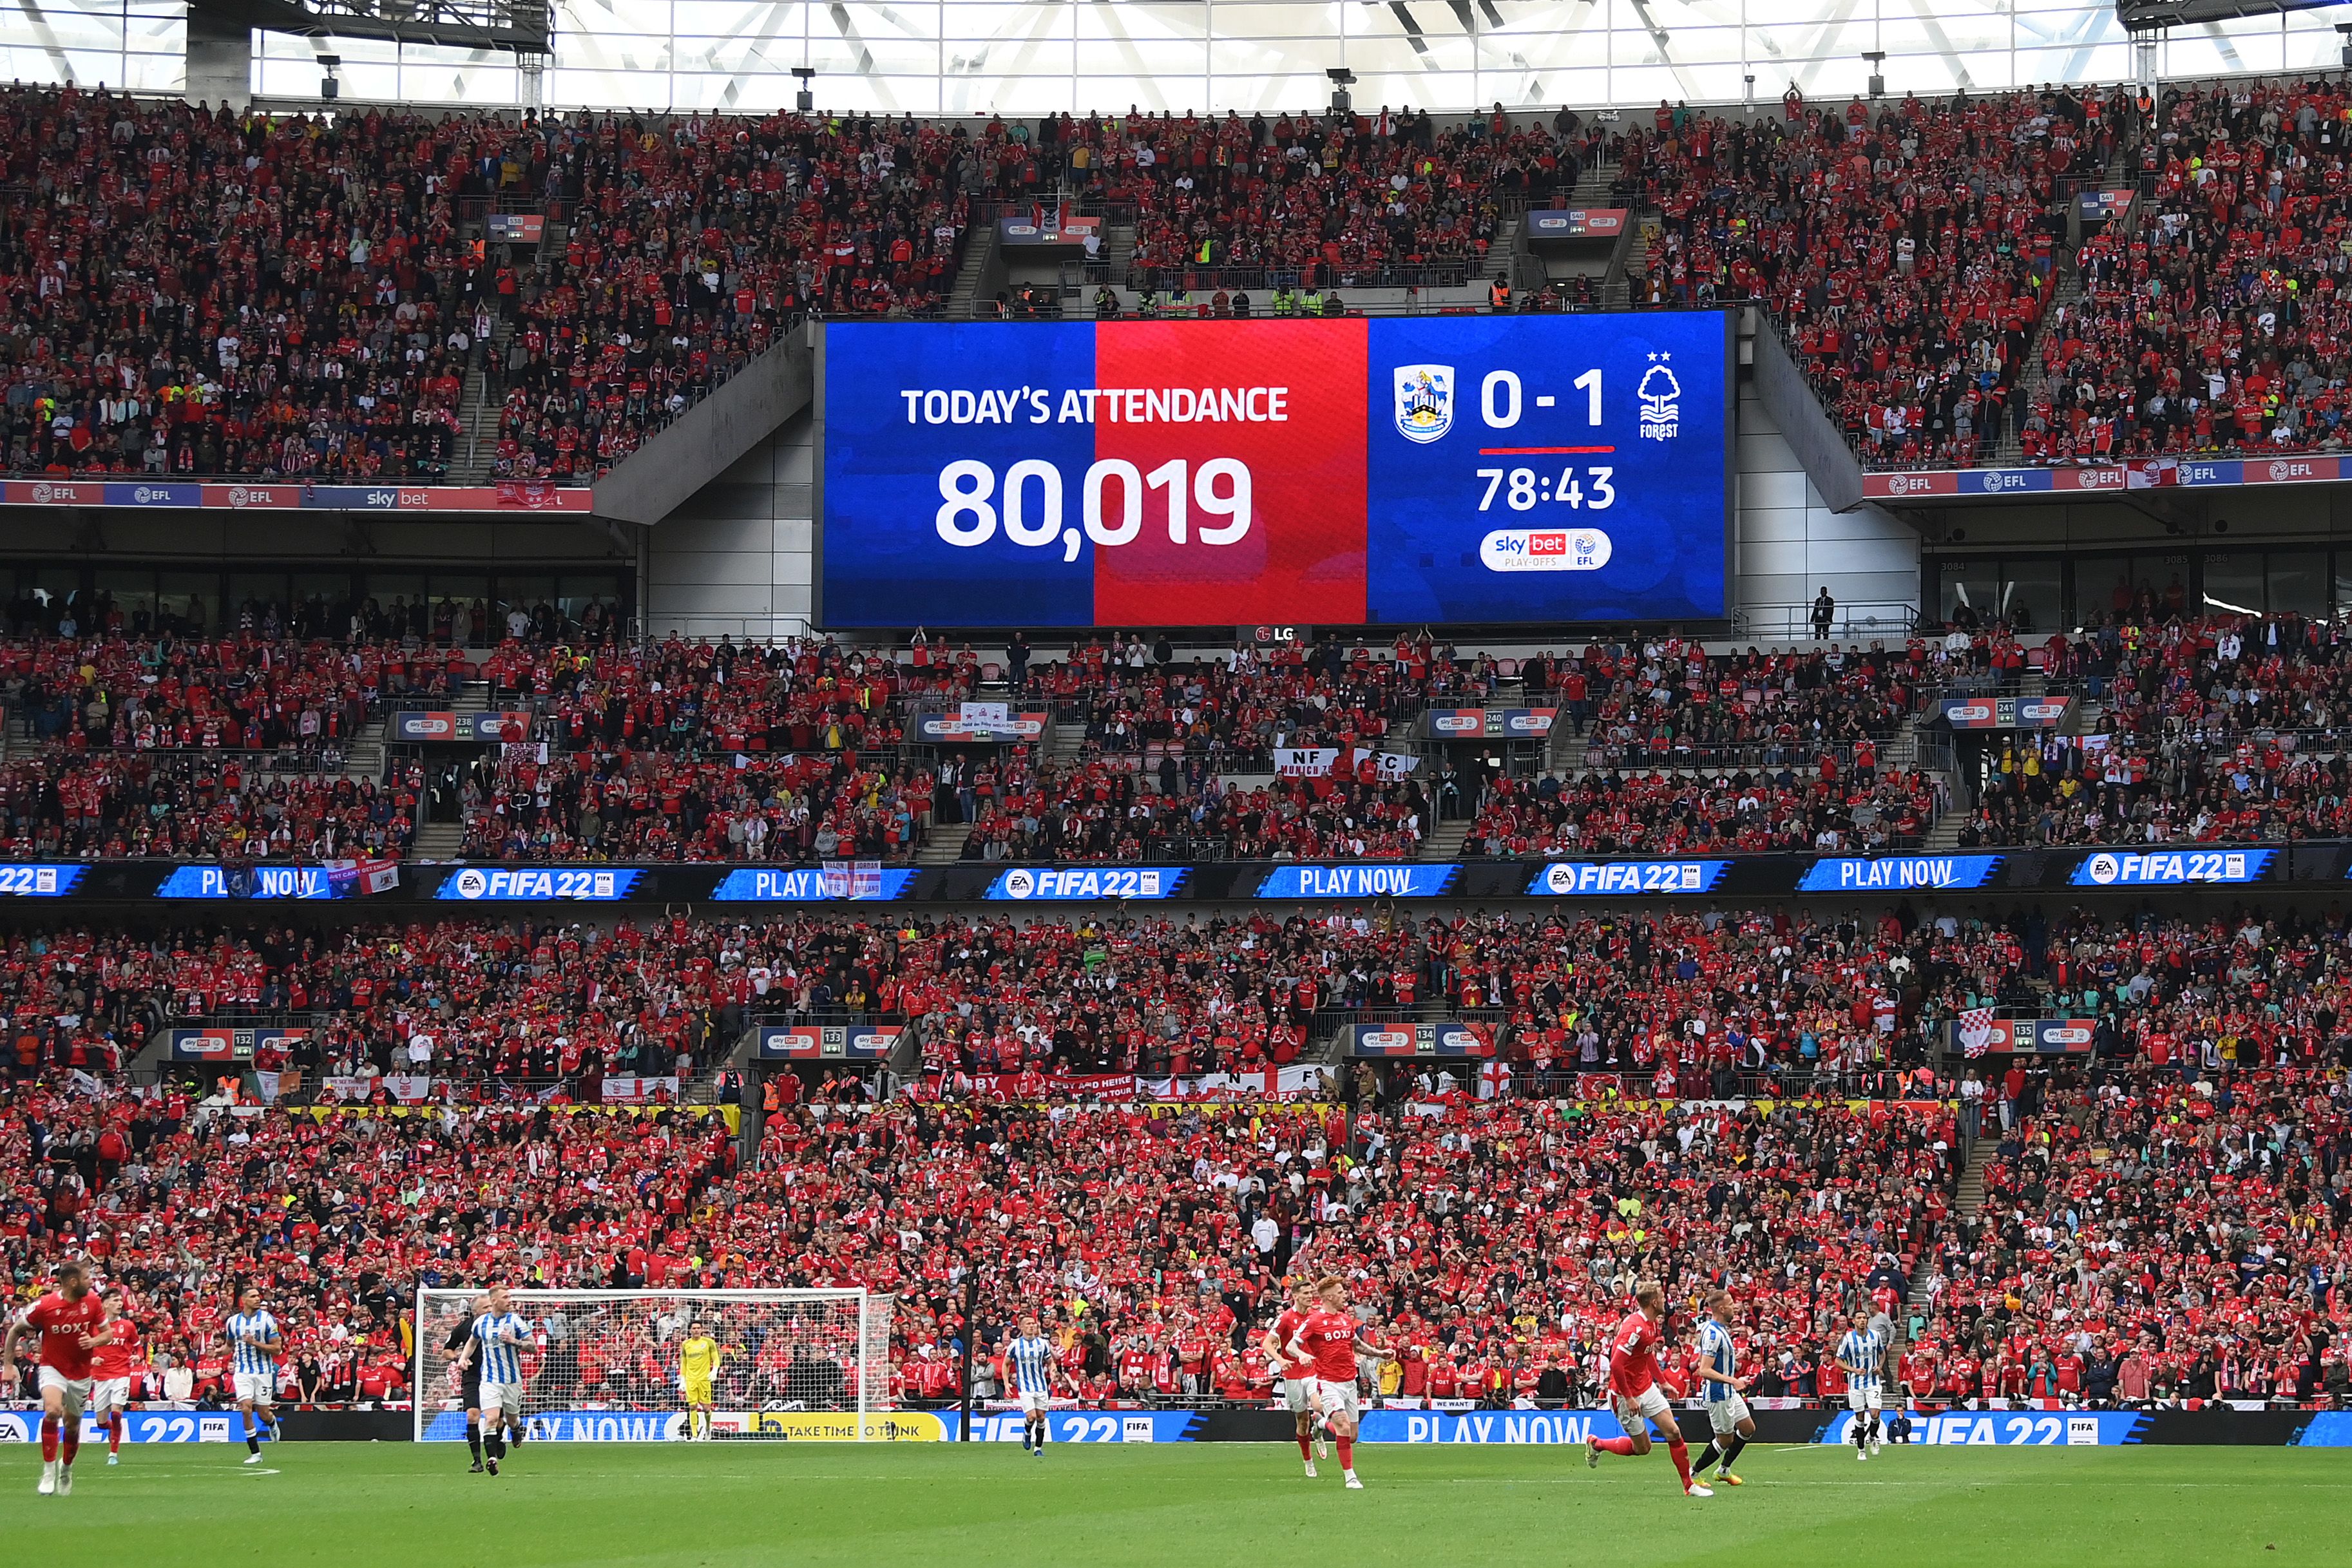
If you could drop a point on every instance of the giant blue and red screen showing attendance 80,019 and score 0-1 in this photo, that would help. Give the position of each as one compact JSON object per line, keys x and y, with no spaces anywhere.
{"x":1330,"y":471}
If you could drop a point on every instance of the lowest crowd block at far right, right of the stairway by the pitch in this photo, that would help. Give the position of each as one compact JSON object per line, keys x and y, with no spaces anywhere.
{"x":2156,"y":1238}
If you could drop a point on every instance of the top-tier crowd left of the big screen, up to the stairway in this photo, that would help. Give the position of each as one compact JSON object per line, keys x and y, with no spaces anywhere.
{"x":211,"y":293}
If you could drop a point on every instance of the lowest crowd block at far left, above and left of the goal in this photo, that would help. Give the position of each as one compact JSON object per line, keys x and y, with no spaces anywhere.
{"x":338,"y":1219}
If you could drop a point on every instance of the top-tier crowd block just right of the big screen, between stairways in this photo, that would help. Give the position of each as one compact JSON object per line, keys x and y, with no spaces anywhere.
{"x":1904,"y":248}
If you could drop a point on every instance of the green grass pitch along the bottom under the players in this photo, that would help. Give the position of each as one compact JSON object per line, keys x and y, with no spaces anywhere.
{"x":1111,"y":1508}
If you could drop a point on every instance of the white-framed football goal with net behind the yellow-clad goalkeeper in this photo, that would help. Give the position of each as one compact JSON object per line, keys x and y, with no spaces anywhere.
{"x":608,"y":1365}
